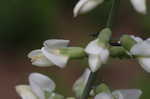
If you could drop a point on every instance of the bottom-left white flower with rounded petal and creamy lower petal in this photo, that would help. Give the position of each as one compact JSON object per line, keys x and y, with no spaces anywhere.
{"x":38,"y":85}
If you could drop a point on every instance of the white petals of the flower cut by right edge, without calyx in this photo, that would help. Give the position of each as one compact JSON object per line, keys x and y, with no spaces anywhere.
{"x":142,"y":51}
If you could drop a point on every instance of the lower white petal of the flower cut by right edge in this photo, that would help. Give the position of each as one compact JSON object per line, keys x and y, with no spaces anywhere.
{"x":145,"y":63}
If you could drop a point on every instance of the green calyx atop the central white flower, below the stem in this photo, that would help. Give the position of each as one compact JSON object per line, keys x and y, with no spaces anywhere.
{"x":104,"y":36}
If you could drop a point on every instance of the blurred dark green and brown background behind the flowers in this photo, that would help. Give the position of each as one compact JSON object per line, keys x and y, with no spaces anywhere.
{"x":25,"y":24}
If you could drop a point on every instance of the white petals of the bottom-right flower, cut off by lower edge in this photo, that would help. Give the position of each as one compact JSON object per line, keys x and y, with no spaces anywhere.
{"x":120,"y":94}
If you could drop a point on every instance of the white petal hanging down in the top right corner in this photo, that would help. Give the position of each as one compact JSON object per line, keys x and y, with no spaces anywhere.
{"x":139,"y":6}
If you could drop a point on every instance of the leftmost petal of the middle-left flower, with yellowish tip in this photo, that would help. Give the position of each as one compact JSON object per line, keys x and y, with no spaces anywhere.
{"x":38,"y":59}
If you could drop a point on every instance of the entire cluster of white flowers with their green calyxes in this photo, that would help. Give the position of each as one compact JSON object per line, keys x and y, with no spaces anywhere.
{"x":98,"y":51}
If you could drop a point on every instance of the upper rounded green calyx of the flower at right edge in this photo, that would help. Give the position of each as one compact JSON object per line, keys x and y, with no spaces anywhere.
{"x":127,"y":42}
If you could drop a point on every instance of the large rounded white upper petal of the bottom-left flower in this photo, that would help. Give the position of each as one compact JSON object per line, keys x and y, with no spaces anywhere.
{"x":41,"y":83}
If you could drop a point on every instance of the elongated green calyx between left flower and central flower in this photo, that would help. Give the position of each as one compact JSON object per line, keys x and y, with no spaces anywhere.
{"x":73,"y":52}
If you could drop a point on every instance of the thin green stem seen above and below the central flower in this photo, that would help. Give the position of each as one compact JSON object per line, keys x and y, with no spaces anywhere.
{"x":92,"y":77}
